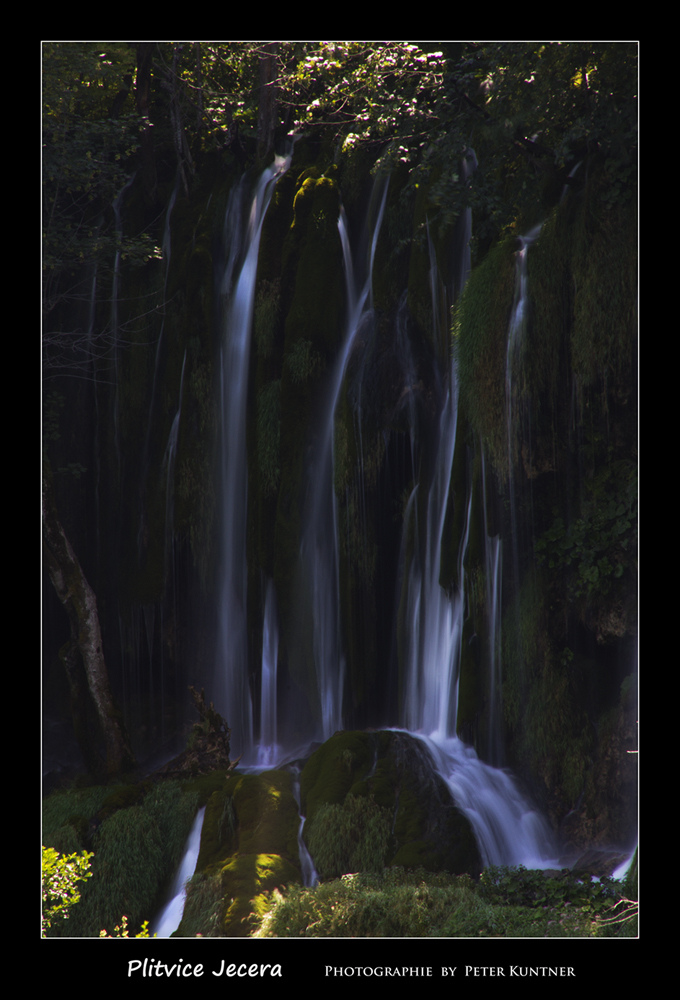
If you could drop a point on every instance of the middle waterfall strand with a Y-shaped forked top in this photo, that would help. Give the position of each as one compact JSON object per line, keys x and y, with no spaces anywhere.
{"x":319,"y":549}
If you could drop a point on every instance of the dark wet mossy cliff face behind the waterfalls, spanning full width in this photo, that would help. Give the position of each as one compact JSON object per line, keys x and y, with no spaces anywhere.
{"x":538,"y":535}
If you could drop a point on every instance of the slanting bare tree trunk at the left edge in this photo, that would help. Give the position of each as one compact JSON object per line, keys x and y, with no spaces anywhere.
{"x":80,"y":604}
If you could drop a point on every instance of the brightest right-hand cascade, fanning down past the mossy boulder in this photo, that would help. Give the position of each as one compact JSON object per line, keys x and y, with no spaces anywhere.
{"x":507,"y":829}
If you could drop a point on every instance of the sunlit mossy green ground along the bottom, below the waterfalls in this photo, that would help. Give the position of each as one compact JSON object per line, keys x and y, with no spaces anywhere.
{"x":243,"y":888}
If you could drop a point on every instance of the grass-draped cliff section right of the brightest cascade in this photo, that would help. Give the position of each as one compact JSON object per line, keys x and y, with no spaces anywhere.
{"x":560,"y":489}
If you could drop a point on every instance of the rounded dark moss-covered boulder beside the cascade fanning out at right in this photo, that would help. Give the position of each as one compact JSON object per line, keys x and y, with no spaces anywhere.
{"x":408,"y":818}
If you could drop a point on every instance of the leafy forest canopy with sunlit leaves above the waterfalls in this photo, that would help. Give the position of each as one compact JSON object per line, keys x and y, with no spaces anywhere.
{"x":528,"y":109}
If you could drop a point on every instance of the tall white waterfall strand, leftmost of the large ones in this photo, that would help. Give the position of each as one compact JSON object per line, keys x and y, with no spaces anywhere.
{"x":232,"y":691}
